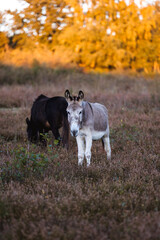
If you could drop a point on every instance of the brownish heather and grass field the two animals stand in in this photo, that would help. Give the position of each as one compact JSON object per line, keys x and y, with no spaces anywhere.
{"x":45,"y":195}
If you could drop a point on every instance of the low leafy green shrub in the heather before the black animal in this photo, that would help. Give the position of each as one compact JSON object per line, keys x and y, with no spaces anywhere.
{"x":26,"y":163}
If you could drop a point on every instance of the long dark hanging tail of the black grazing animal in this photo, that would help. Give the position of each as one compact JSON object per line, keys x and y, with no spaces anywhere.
{"x":65,"y":132}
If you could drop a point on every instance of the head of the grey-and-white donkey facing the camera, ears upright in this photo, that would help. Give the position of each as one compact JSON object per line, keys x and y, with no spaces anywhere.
{"x":74,"y":111}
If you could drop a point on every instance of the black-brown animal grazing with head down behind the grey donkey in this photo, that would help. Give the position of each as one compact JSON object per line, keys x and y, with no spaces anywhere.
{"x":48,"y":114}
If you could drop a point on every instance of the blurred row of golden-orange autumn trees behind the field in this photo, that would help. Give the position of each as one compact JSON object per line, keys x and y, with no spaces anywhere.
{"x":101,"y":35}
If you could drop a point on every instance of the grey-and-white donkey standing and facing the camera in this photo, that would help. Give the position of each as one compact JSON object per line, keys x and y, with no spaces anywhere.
{"x":87,"y":121}
